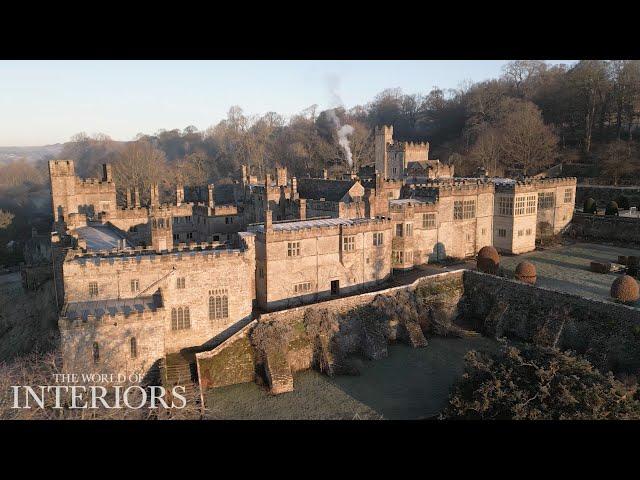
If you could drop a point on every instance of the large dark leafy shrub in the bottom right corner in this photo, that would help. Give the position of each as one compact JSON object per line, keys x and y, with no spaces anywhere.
{"x":538,"y":383}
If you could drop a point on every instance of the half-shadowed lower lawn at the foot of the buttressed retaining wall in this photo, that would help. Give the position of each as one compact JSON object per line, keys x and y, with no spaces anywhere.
{"x":408,"y":384}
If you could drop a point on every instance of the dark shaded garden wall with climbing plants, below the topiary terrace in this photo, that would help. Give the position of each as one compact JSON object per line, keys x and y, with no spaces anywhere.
{"x":607,"y":333}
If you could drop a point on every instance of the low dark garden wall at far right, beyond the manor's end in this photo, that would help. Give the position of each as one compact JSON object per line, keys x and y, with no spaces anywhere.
{"x":605,"y":227}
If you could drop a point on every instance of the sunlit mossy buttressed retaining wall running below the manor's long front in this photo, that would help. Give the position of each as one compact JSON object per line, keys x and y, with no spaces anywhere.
{"x":231,"y":362}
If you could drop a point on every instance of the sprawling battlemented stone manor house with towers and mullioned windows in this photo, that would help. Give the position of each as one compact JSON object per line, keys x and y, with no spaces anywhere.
{"x":137,"y":282}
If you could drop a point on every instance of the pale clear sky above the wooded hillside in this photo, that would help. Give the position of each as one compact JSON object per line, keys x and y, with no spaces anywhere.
{"x":45,"y":102}
